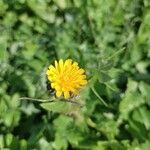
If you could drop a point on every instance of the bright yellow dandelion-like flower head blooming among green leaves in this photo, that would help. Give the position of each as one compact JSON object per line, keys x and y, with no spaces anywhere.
{"x":66,"y":78}
